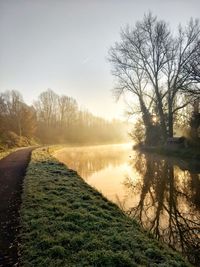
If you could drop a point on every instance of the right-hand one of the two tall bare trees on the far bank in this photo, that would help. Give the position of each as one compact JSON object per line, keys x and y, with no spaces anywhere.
{"x":180,"y":54}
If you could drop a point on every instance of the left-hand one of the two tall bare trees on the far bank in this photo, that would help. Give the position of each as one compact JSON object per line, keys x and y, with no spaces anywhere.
{"x":144,"y":46}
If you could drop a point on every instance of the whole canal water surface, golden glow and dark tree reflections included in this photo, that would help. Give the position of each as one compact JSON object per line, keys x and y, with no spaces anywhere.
{"x":163,"y":194}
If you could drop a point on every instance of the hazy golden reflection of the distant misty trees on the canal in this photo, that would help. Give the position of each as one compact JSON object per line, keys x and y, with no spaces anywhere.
{"x":88,"y":160}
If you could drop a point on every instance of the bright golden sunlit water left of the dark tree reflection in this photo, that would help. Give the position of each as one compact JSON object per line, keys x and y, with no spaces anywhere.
{"x":103,"y":167}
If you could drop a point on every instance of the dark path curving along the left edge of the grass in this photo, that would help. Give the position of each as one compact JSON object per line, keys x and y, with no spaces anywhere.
{"x":12,"y":171}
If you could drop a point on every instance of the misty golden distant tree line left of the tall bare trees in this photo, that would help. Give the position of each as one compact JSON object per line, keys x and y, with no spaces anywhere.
{"x":53,"y":119}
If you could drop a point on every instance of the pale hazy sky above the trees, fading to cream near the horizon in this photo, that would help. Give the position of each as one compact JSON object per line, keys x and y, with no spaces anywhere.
{"x":63,"y":45}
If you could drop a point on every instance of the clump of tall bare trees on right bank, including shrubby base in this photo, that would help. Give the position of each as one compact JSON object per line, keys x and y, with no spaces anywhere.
{"x":161,"y":70}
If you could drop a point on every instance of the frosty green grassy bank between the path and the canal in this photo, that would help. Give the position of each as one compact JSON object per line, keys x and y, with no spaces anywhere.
{"x":65,"y":222}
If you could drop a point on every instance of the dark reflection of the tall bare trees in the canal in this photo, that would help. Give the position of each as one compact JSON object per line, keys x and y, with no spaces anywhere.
{"x":169,"y":203}
